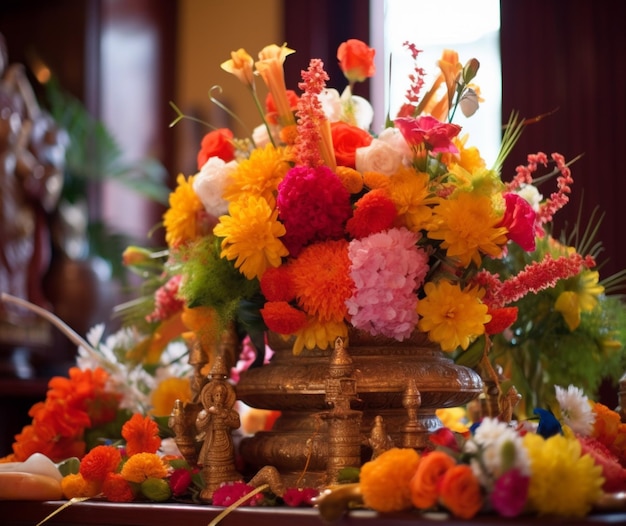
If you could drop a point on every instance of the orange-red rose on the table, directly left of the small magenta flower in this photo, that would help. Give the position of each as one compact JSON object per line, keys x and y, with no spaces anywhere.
{"x":460,"y":492}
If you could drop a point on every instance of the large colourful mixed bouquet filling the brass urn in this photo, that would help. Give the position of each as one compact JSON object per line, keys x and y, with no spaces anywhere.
{"x":314,"y":224}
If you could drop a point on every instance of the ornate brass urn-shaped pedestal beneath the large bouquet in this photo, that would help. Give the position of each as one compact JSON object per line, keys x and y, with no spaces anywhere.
{"x":324,"y":396}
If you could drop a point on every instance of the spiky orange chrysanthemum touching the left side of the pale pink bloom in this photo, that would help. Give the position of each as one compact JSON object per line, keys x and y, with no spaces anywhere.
{"x":322,"y":280}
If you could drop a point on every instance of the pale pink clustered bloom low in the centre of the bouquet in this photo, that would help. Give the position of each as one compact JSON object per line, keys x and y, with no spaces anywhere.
{"x":386,"y":268}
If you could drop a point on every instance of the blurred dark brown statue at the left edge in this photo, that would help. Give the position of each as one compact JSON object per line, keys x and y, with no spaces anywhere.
{"x":32,"y":159}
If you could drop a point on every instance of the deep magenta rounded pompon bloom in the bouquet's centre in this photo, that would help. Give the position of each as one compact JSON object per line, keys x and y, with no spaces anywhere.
{"x":313,"y":205}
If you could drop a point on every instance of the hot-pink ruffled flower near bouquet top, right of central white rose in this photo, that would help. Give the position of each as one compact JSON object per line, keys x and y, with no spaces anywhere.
{"x":435,"y":135}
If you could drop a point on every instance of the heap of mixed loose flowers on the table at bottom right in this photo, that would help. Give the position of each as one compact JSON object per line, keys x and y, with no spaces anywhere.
{"x":562,"y":467}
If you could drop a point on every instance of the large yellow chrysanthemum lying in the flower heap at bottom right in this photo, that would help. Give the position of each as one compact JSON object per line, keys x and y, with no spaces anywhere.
{"x":564,"y":482}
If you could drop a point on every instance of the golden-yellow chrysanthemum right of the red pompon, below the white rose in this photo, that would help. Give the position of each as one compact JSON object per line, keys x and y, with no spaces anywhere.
{"x":410,"y":193}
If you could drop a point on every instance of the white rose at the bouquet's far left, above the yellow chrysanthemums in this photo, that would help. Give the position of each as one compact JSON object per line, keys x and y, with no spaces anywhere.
{"x":210,"y":182}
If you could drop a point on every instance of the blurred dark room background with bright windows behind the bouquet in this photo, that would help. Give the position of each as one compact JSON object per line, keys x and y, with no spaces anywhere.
{"x":108,"y":70}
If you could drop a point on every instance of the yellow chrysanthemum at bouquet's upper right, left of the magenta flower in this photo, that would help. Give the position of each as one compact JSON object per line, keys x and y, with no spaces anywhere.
{"x":466,"y":224}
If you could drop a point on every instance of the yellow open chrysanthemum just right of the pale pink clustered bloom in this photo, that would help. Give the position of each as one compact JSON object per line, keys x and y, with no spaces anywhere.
{"x":451,"y":316}
